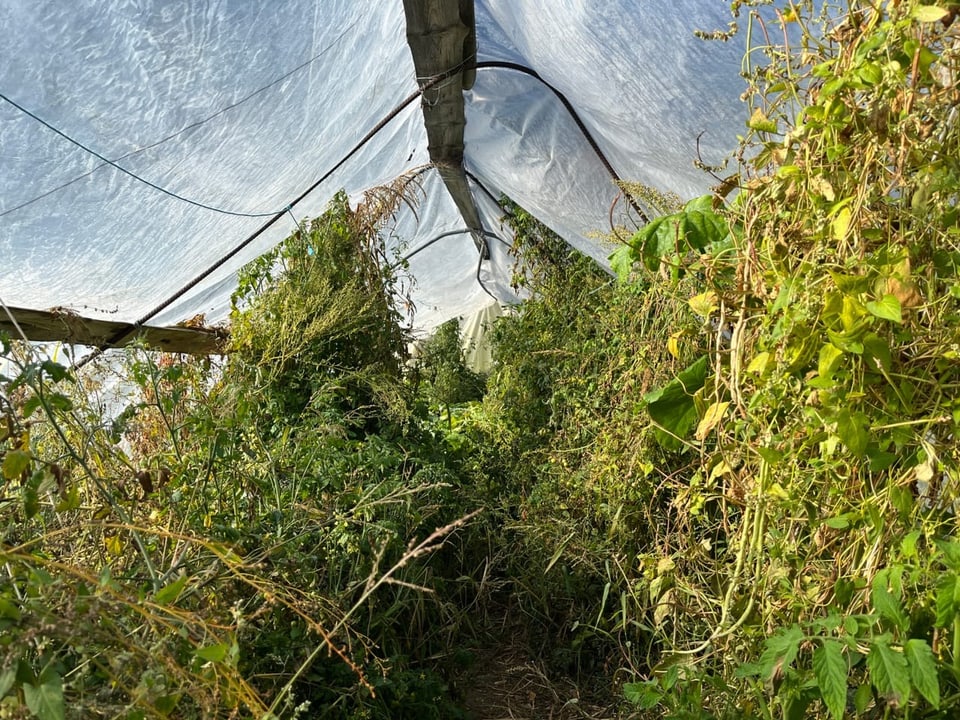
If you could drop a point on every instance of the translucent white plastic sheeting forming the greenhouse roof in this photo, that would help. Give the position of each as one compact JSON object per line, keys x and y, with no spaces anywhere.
{"x":221,"y":112}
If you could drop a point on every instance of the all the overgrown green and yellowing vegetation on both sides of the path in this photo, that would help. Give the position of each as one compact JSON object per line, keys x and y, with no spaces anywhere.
{"x":721,"y":485}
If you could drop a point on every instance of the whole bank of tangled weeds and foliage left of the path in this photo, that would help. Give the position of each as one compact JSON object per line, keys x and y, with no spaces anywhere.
{"x":279,"y":535}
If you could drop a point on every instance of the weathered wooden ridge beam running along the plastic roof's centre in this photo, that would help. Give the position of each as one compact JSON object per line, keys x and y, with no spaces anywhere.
{"x":443,"y":41}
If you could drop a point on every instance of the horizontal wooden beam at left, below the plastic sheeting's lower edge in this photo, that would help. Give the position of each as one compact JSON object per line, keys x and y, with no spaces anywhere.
{"x":62,"y":325}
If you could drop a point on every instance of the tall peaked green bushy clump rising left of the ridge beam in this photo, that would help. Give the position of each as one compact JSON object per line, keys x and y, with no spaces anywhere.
{"x":324,"y":329}
